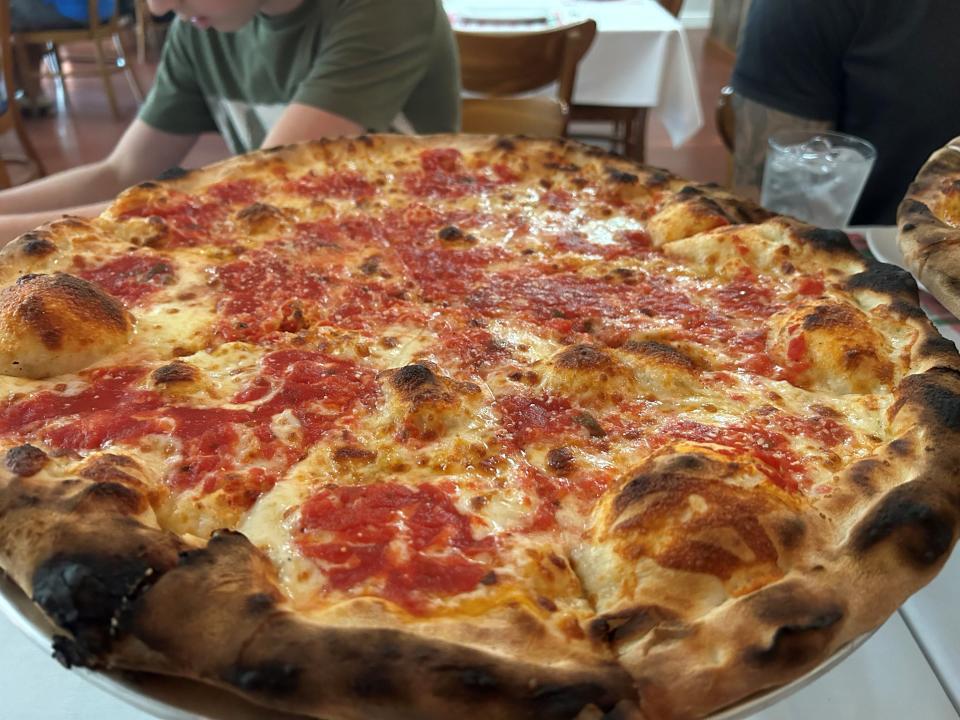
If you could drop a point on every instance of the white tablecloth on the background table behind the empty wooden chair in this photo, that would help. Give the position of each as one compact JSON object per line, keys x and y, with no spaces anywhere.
{"x":640,"y":57}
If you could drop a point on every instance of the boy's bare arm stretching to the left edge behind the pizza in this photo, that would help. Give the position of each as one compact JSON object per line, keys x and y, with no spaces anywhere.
{"x":143,"y":152}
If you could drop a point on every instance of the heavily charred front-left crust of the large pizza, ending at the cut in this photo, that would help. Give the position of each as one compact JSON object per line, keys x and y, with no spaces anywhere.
{"x":132,"y":596}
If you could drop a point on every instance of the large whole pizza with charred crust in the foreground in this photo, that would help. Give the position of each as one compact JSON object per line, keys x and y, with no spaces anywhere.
{"x":393,"y":427}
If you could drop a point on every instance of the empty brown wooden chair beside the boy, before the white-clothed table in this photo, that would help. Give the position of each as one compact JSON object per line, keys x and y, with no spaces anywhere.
{"x":500,"y":65}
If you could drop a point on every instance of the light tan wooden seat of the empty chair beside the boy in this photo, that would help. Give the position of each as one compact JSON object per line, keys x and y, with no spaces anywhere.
{"x":532,"y":116}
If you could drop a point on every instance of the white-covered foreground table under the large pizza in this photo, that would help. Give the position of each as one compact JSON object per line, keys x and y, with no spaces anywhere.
{"x":910,"y":668}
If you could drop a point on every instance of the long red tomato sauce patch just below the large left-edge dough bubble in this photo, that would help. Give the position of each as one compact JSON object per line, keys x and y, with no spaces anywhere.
{"x":319,"y":390}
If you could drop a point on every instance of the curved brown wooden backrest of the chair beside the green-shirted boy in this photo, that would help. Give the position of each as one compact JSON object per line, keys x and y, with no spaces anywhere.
{"x":509,"y":63}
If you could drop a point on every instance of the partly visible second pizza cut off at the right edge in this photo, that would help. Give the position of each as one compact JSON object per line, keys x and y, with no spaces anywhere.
{"x":929,"y":224}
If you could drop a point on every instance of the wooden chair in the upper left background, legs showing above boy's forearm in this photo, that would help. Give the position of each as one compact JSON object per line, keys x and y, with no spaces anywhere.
{"x":96,"y":33}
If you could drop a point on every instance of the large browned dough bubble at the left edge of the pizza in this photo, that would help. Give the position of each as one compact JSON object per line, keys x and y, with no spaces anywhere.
{"x":55,"y":324}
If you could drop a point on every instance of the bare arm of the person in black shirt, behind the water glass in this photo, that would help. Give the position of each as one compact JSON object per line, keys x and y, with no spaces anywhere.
{"x":754,"y":124}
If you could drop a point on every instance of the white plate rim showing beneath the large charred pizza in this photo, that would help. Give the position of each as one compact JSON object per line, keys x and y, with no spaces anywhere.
{"x":171,"y":698}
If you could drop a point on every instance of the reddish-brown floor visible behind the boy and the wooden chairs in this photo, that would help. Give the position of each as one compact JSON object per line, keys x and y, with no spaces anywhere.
{"x":83,"y":128}
